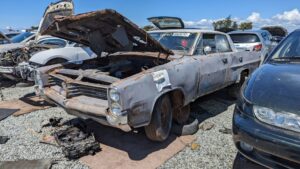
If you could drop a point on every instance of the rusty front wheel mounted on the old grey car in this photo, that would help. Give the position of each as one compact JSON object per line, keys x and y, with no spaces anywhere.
{"x":161,"y":121}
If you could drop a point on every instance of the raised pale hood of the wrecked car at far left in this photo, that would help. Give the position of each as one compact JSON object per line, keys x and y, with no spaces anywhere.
{"x":60,"y":8}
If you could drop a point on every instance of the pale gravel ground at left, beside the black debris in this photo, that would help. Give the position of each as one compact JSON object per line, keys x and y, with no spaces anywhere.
{"x":25,"y":134}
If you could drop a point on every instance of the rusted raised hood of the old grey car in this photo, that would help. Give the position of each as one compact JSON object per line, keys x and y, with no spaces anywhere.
{"x":104,"y":31}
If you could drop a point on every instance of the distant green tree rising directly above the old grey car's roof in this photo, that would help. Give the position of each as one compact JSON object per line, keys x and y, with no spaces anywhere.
{"x":225,"y":25}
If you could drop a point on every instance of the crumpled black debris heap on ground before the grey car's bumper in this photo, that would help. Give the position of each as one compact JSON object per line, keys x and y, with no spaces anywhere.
{"x":77,"y":141}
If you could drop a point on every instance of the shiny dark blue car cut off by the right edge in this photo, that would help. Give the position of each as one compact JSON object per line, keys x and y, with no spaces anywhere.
{"x":266,"y":121}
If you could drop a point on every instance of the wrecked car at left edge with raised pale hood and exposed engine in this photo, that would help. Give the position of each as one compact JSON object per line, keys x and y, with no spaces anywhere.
{"x":11,"y":55}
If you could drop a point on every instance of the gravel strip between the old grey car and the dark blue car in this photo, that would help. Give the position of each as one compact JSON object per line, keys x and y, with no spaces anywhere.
{"x":216,"y":149}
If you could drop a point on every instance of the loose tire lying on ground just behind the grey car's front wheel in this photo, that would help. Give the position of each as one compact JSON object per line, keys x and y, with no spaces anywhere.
{"x":189,"y":128}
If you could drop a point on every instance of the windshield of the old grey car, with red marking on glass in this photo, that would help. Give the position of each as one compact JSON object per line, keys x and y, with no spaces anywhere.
{"x":177,"y":41}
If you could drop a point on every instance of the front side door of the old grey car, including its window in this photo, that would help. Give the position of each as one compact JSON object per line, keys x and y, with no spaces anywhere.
{"x":213,"y":64}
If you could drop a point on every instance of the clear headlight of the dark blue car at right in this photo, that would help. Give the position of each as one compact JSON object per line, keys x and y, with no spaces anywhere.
{"x":285,"y":120}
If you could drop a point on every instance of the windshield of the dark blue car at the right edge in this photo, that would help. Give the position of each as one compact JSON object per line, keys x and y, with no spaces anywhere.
{"x":288,"y":49}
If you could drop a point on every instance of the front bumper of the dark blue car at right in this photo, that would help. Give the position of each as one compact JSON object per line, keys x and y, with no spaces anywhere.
{"x":272,"y":147}
